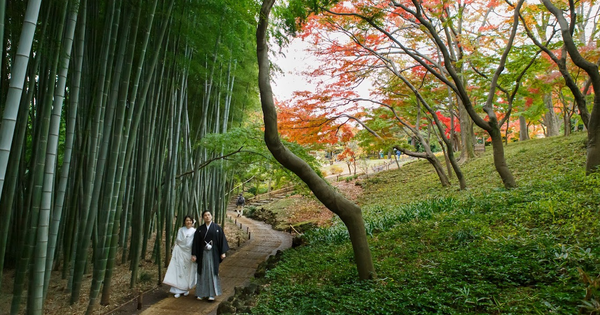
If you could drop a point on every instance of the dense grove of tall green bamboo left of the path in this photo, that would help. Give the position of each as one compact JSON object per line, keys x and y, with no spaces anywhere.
{"x":104,"y":104}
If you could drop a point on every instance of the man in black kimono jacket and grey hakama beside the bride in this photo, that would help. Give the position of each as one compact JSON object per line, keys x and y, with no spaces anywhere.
{"x":208,"y":250}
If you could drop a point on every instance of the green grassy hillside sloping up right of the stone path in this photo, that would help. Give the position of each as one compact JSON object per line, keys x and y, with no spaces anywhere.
{"x":485,"y":250}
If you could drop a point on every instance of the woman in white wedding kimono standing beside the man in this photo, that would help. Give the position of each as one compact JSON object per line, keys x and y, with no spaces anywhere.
{"x":181,"y":273}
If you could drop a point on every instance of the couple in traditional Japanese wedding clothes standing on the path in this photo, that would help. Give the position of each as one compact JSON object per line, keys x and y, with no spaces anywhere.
{"x":196,"y":258}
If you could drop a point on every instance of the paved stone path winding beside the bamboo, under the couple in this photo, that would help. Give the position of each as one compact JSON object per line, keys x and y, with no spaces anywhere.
{"x":236,"y":270}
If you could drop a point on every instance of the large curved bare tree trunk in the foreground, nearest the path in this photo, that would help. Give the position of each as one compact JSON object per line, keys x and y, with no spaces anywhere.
{"x":348,"y":212}
